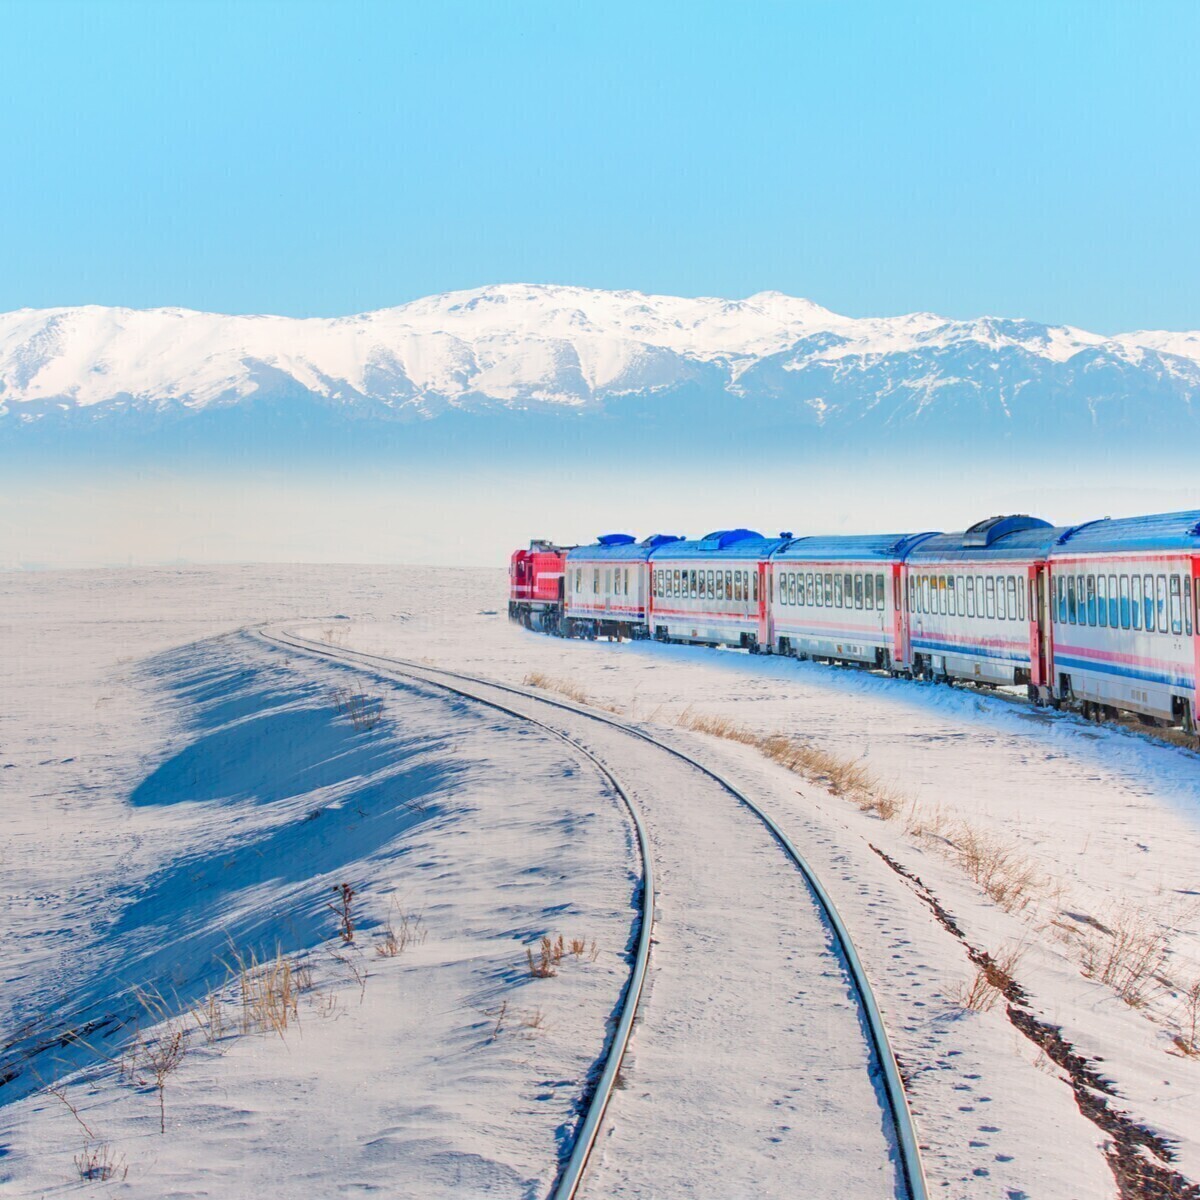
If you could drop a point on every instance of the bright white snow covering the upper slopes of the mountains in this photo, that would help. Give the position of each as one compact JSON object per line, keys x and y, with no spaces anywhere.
{"x":508,"y":344}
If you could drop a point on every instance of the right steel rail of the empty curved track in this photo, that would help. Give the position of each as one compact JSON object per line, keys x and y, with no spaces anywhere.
{"x":908,"y":1144}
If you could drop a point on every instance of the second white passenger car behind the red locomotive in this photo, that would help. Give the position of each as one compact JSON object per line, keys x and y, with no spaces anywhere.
{"x":713,"y":591}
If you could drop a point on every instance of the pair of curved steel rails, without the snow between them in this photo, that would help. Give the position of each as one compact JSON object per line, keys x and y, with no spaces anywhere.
{"x":910,"y":1177}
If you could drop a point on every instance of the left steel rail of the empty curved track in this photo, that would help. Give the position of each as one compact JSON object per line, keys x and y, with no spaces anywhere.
{"x":572,"y":1172}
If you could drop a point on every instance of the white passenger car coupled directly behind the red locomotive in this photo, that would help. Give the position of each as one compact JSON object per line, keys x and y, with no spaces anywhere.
{"x":607,"y":587}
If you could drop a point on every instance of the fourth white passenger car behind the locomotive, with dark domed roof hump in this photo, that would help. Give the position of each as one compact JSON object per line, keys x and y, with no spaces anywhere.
{"x":976,"y":604}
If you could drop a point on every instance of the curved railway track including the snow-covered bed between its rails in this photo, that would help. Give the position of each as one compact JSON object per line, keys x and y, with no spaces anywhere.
{"x":805,"y":1076}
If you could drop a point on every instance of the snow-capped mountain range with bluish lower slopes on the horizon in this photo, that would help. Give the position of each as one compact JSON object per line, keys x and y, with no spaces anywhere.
{"x":563,"y":349}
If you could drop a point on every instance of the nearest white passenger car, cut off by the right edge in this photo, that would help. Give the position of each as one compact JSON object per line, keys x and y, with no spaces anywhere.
{"x":1126,"y":616}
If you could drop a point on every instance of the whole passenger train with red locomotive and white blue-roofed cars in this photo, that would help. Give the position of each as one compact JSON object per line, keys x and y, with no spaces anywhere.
{"x":1103,"y":617}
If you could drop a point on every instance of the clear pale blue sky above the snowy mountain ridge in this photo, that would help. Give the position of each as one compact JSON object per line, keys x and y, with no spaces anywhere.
{"x":1003,"y":158}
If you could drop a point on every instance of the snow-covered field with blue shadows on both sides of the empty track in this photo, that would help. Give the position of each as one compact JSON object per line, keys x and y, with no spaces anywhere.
{"x":172,"y":802}
